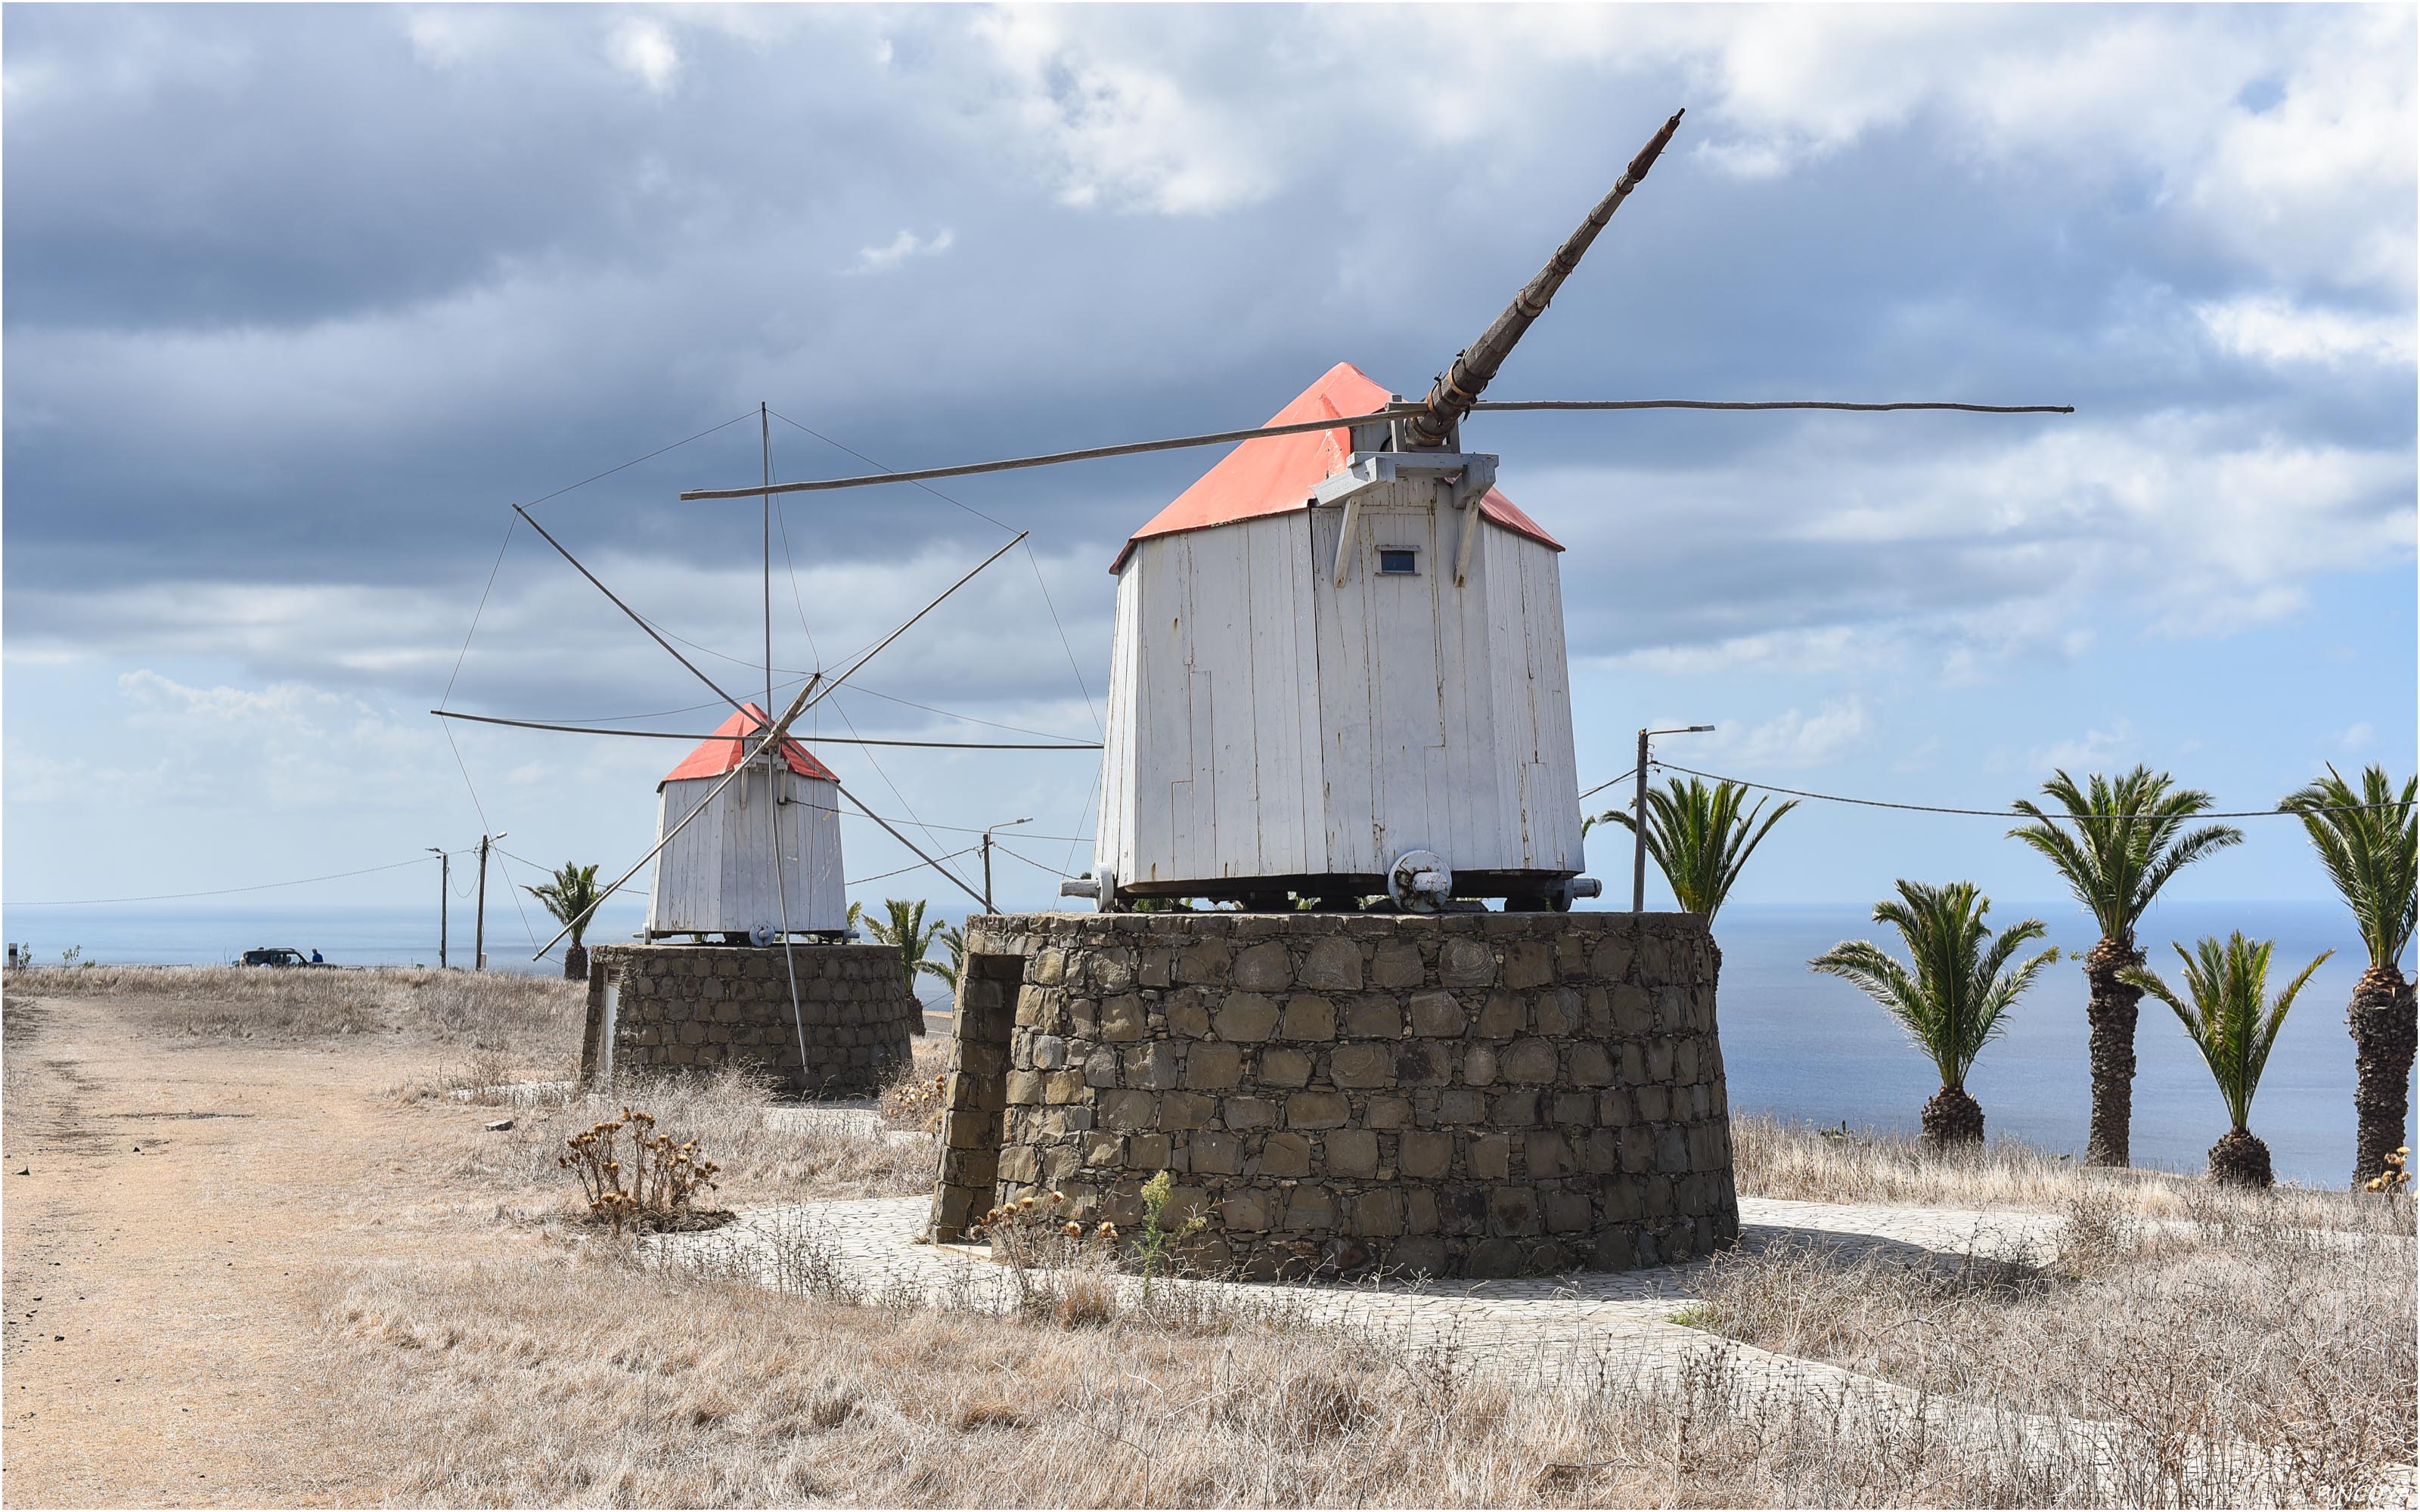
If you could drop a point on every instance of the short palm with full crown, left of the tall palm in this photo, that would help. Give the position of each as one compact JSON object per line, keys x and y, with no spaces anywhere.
{"x":1954,"y":993}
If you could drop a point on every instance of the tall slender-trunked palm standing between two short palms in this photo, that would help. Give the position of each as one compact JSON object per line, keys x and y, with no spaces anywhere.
{"x":2119,"y":843}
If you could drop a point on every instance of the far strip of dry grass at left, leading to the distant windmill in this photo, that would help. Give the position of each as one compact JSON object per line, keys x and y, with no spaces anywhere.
{"x":480,"y":1010}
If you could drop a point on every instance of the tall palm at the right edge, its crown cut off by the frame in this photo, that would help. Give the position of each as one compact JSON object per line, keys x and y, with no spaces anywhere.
{"x":2370,"y":843}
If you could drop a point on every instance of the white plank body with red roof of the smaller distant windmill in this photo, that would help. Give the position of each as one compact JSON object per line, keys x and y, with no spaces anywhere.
{"x":718,"y":877}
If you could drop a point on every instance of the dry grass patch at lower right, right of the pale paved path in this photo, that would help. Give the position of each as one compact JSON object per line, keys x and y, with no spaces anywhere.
{"x":2291,"y":1349}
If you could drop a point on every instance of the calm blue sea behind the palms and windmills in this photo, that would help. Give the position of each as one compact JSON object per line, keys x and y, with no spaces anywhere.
{"x":1797,"y":1044}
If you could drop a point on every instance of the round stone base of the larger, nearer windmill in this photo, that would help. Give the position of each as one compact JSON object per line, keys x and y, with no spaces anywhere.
{"x":1337,"y":1095}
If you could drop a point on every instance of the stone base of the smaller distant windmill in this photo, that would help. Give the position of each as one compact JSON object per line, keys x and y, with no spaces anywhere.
{"x":659,"y":1010}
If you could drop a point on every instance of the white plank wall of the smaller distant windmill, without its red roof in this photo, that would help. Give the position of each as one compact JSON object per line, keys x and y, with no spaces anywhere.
{"x":718,"y":875}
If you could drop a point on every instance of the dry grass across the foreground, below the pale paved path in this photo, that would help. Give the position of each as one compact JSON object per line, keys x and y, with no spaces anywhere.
{"x":606,"y":1385}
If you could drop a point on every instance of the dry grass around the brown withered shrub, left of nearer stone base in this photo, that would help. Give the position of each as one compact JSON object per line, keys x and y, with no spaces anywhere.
{"x":766,"y":1150}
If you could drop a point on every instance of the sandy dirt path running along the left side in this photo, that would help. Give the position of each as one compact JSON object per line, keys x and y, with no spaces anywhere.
{"x":166,"y":1208}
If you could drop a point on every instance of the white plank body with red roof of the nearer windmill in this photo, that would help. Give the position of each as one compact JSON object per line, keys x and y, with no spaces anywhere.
{"x":1332,"y":659}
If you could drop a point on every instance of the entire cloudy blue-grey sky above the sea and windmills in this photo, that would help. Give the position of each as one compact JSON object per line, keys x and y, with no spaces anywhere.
{"x":304,"y":301}
